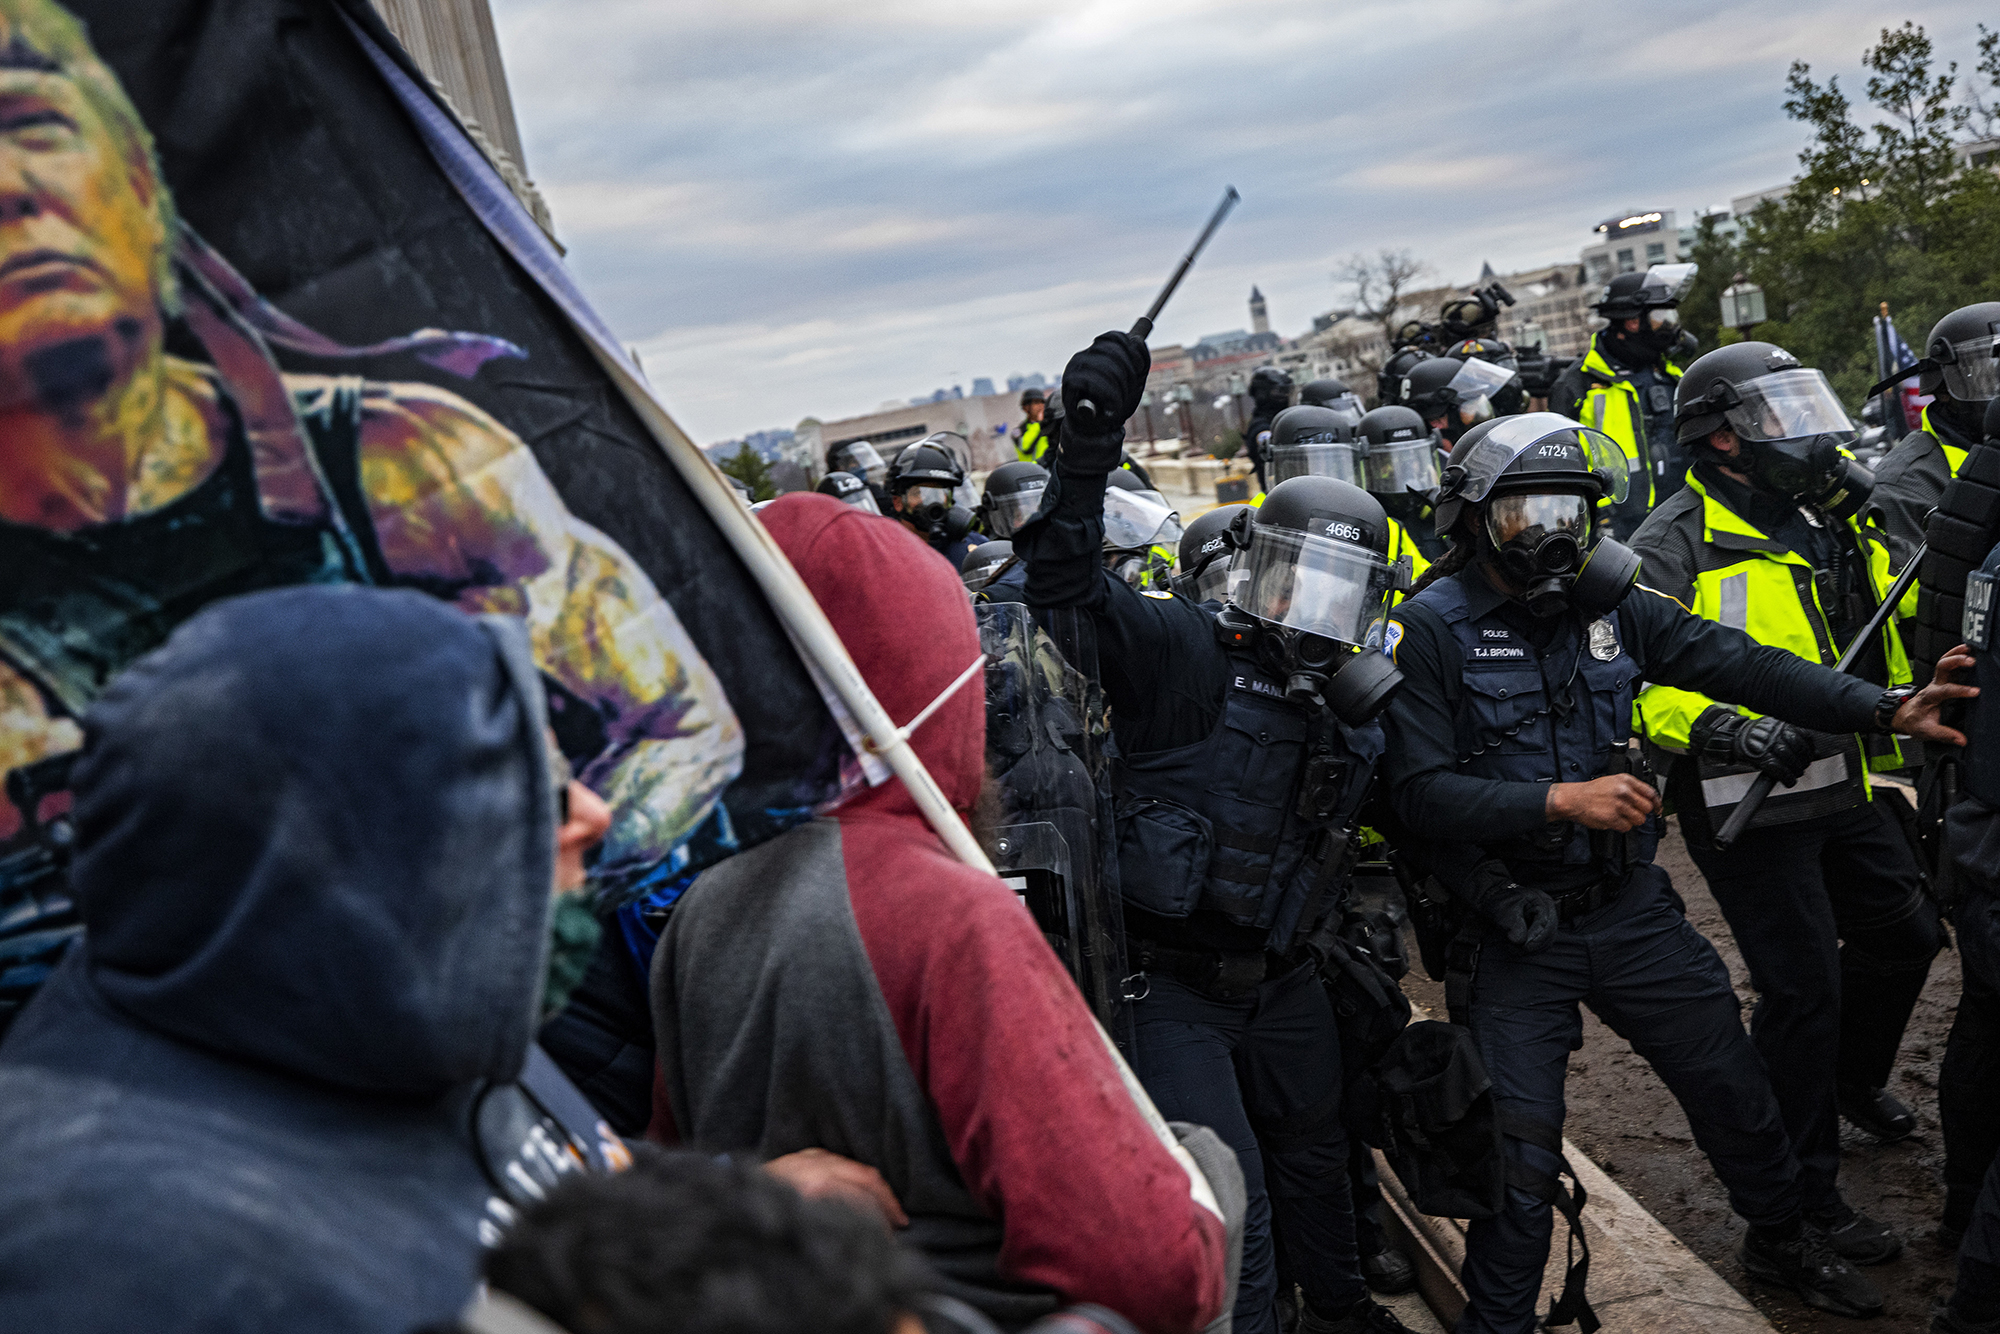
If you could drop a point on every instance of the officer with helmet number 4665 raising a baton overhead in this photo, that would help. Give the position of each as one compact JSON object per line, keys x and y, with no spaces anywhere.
{"x":1247,"y":743}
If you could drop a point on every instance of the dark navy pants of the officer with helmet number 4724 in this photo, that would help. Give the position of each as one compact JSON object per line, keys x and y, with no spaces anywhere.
{"x":1661,"y":987}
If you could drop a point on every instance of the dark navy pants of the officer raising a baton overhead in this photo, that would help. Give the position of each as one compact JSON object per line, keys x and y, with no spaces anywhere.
{"x":1263,"y":1071}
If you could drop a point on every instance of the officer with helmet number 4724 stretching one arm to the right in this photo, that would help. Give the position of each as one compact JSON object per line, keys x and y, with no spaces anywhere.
{"x":1509,"y":763}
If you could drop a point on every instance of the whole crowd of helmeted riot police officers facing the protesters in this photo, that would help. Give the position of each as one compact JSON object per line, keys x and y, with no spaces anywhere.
{"x":1489,"y":635}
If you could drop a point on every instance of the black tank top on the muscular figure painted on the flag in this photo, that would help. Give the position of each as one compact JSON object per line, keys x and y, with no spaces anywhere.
{"x":81,"y":607}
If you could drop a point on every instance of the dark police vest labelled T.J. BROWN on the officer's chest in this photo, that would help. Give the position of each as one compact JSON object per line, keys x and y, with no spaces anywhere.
{"x":1527,"y":715}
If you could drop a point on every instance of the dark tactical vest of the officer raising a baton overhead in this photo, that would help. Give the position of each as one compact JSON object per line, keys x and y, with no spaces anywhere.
{"x":1247,"y":821}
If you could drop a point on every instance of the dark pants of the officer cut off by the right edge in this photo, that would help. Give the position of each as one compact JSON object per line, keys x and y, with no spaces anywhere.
{"x":1969,"y":1085}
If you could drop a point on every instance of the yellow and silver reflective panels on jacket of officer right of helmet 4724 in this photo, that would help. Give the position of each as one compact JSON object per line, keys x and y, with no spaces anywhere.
{"x":1725,"y":569}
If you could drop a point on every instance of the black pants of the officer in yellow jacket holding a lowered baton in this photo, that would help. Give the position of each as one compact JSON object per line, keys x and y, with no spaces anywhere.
{"x":1833,"y":919}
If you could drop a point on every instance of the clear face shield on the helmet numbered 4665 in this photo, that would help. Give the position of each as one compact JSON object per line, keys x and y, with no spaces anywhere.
{"x":1315,"y":585}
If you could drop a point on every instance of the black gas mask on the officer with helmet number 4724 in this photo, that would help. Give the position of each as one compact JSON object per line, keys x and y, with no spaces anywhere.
{"x":1541,"y":541}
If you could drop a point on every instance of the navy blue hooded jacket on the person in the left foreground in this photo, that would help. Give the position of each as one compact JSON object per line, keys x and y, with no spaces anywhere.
{"x":315,"y":861}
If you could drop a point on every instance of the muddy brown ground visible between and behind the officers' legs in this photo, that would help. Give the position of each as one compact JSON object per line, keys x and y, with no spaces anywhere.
{"x":1631,"y":1127}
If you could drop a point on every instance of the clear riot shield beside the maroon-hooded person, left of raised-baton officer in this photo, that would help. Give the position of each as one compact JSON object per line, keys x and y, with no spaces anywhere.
{"x":1057,"y":829}
